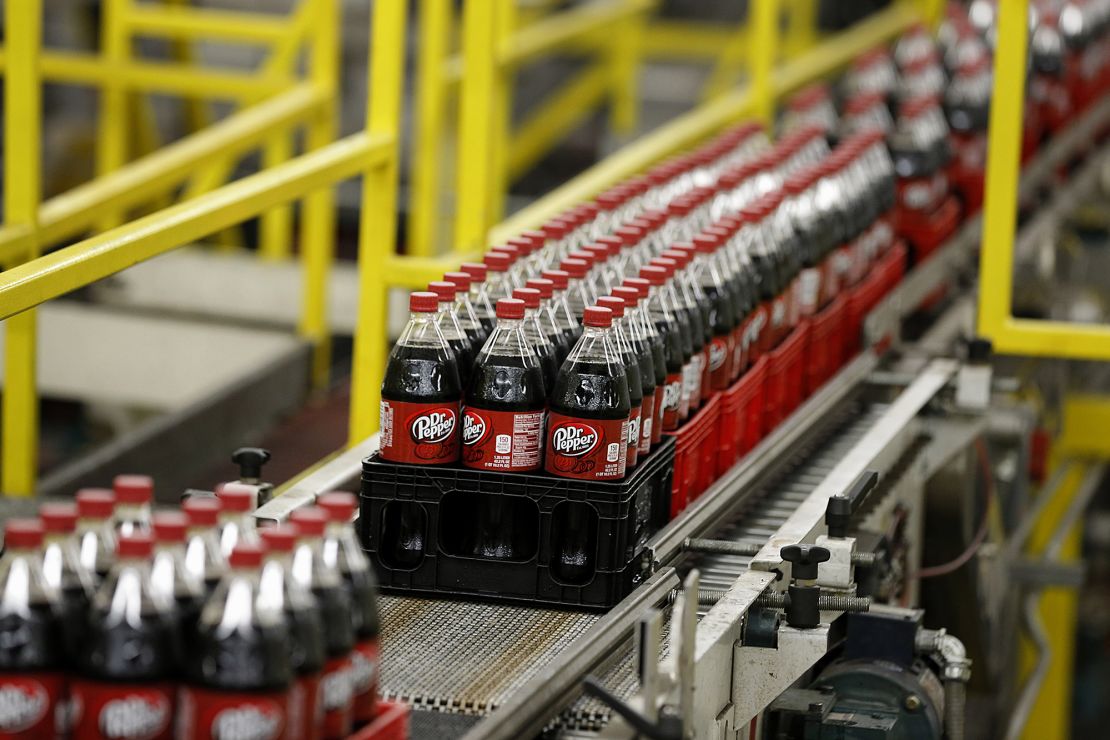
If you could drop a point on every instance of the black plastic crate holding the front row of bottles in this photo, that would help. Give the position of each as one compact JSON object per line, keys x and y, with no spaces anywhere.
{"x":422,"y":526}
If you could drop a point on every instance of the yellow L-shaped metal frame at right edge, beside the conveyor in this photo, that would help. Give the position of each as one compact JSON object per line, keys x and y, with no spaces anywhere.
{"x":1007,"y":333}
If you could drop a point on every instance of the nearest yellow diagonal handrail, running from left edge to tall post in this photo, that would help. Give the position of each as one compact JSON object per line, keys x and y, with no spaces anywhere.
{"x":106,"y":255}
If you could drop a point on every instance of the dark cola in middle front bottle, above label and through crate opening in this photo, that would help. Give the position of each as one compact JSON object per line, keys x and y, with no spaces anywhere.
{"x":507,"y":384}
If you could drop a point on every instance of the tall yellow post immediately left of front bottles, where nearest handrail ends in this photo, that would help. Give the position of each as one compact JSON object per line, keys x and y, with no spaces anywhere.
{"x":378,"y":225}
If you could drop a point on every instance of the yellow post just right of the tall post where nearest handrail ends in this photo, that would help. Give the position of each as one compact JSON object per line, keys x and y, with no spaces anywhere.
{"x":425,"y":215}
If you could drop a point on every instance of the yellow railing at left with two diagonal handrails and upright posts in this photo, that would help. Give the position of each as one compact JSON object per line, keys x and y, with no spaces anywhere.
{"x":372,"y":154}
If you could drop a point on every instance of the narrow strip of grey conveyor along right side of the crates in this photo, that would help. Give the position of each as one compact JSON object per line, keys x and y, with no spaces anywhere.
{"x":765,"y":513}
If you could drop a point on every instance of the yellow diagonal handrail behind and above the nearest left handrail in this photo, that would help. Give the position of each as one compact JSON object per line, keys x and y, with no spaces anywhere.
{"x":75,"y":211}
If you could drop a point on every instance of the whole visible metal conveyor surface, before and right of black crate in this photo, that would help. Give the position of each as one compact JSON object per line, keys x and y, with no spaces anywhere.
{"x":467,"y":657}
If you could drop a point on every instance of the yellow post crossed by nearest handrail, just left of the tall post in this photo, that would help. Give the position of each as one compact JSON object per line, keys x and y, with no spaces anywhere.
{"x":318,"y":230}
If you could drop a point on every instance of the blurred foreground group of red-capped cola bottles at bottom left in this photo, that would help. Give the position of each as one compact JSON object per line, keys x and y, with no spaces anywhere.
{"x":116,"y":623}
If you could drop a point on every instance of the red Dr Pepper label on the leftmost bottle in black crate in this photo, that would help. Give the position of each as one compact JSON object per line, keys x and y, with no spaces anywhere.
{"x":421,"y":434}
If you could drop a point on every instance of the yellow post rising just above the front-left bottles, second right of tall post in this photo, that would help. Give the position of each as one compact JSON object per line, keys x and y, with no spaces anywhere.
{"x":477,"y":140}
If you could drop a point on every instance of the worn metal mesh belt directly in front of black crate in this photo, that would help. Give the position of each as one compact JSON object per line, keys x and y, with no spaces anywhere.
{"x":468,"y":657}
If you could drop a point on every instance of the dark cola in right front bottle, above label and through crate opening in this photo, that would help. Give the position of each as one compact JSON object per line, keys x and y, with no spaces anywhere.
{"x":586,"y":390}
